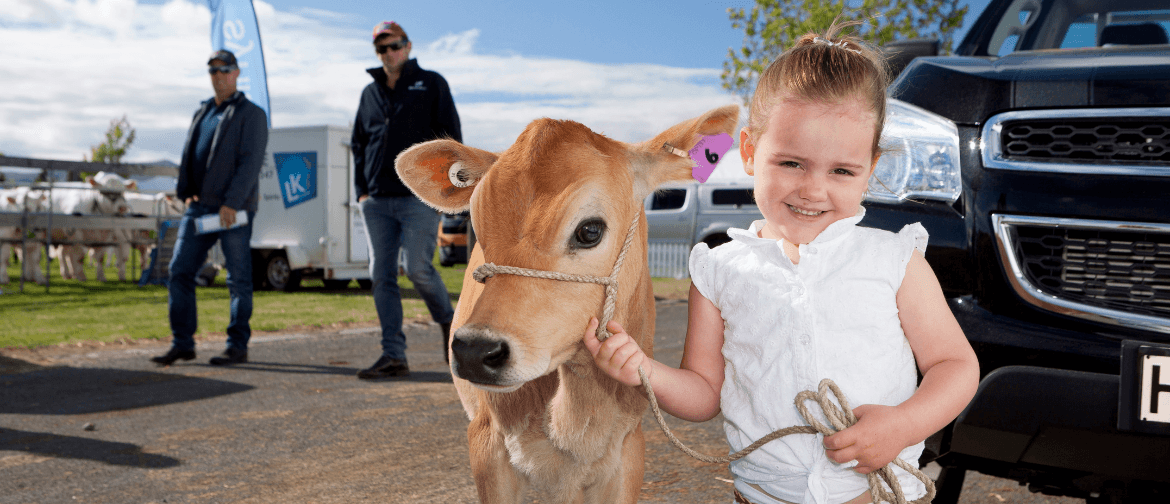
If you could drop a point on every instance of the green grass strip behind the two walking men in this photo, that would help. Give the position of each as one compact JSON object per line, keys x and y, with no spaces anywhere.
{"x":73,"y":312}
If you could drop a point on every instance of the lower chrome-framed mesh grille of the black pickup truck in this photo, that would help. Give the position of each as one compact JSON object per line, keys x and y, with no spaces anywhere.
{"x":1093,"y":267}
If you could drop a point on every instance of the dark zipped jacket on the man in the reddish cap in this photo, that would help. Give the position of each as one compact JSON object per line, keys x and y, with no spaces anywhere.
{"x":419,"y":109}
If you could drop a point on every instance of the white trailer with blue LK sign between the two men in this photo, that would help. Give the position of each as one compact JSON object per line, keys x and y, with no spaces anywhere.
{"x":309,"y":224}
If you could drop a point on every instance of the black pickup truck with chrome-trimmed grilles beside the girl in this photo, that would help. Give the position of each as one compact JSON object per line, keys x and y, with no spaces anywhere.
{"x":1038,"y":157}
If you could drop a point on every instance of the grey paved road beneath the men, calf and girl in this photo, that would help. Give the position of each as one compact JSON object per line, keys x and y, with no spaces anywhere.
{"x":104,"y":425}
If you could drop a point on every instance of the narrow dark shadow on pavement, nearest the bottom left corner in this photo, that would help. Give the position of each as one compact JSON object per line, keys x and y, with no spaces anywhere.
{"x":84,"y":448}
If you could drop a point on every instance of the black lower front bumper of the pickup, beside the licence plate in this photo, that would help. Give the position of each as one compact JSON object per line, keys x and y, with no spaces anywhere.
{"x":1057,"y":420}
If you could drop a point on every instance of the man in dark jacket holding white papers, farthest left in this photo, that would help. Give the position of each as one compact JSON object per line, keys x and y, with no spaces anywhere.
{"x":219,"y":177}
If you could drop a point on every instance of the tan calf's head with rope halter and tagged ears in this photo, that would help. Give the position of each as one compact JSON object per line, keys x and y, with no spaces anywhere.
{"x":561,"y":199}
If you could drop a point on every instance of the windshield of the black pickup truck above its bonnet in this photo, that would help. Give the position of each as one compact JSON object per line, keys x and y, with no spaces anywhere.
{"x":1038,"y":25}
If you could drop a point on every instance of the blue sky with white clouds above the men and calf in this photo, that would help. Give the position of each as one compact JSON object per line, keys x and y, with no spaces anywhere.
{"x":628,"y":70}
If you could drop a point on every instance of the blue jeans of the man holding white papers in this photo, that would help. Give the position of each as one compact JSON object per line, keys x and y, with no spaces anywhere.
{"x":190,"y":256}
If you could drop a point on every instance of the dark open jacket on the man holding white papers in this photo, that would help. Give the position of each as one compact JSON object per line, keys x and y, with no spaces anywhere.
{"x":238,"y":150}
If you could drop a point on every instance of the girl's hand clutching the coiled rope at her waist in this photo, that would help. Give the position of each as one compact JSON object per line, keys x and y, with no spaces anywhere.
{"x":875,"y":441}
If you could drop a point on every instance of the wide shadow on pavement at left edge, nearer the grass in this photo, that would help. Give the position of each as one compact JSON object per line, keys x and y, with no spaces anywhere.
{"x":75,"y":391}
